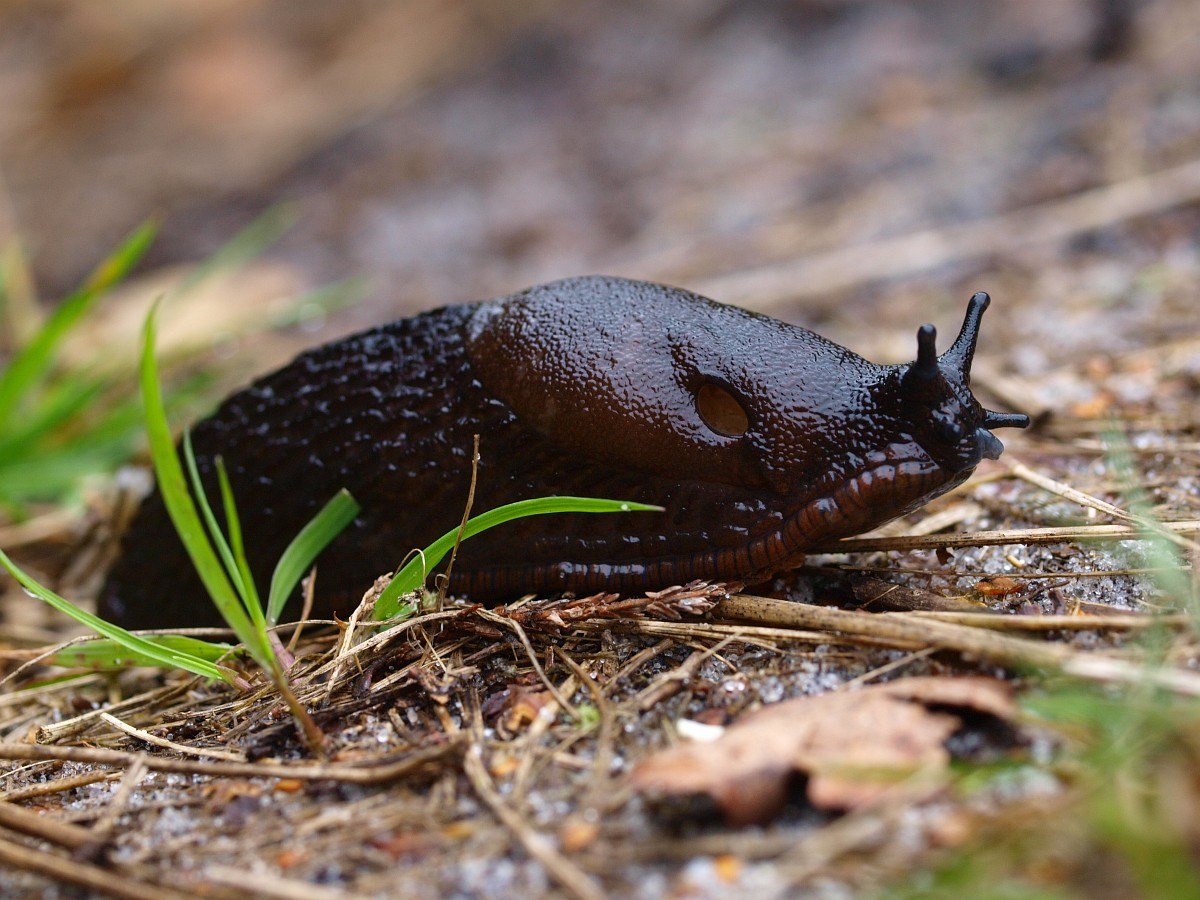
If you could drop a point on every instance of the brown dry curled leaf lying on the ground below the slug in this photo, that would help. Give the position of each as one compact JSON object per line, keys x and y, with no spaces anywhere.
{"x":856,"y":748}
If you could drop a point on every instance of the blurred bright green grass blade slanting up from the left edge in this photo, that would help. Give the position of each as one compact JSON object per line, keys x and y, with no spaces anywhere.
{"x":34,"y":359}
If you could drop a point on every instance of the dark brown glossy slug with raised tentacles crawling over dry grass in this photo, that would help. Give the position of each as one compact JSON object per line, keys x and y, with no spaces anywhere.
{"x":760,"y":440}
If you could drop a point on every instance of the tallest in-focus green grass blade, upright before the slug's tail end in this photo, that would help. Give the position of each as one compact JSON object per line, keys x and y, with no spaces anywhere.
{"x":183,"y":511}
